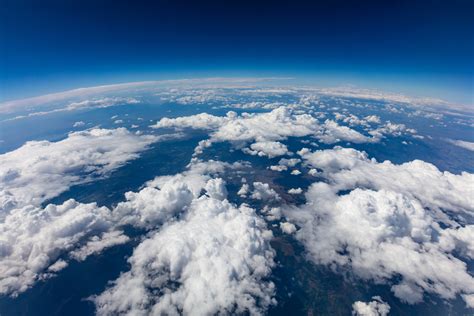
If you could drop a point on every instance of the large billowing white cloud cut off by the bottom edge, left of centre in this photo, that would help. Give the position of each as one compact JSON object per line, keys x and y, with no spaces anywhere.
{"x":215,"y":259}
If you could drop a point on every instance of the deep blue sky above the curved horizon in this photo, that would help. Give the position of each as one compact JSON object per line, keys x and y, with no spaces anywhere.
{"x":420,"y":47}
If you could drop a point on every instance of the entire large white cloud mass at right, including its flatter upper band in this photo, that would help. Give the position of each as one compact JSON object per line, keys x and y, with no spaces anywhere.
{"x":388,"y":223}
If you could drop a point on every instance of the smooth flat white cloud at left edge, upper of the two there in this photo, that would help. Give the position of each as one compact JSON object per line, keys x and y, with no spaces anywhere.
{"x":40,"y":170}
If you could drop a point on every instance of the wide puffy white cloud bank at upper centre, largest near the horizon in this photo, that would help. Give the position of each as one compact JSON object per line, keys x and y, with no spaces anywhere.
{"x":264,"y":129}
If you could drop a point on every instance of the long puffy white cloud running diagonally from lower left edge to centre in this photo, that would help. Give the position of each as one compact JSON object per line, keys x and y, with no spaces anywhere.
{"x":35,"y":241}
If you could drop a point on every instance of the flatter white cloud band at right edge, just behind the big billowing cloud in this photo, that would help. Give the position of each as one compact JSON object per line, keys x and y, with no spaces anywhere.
{"x":348,"y":168}
